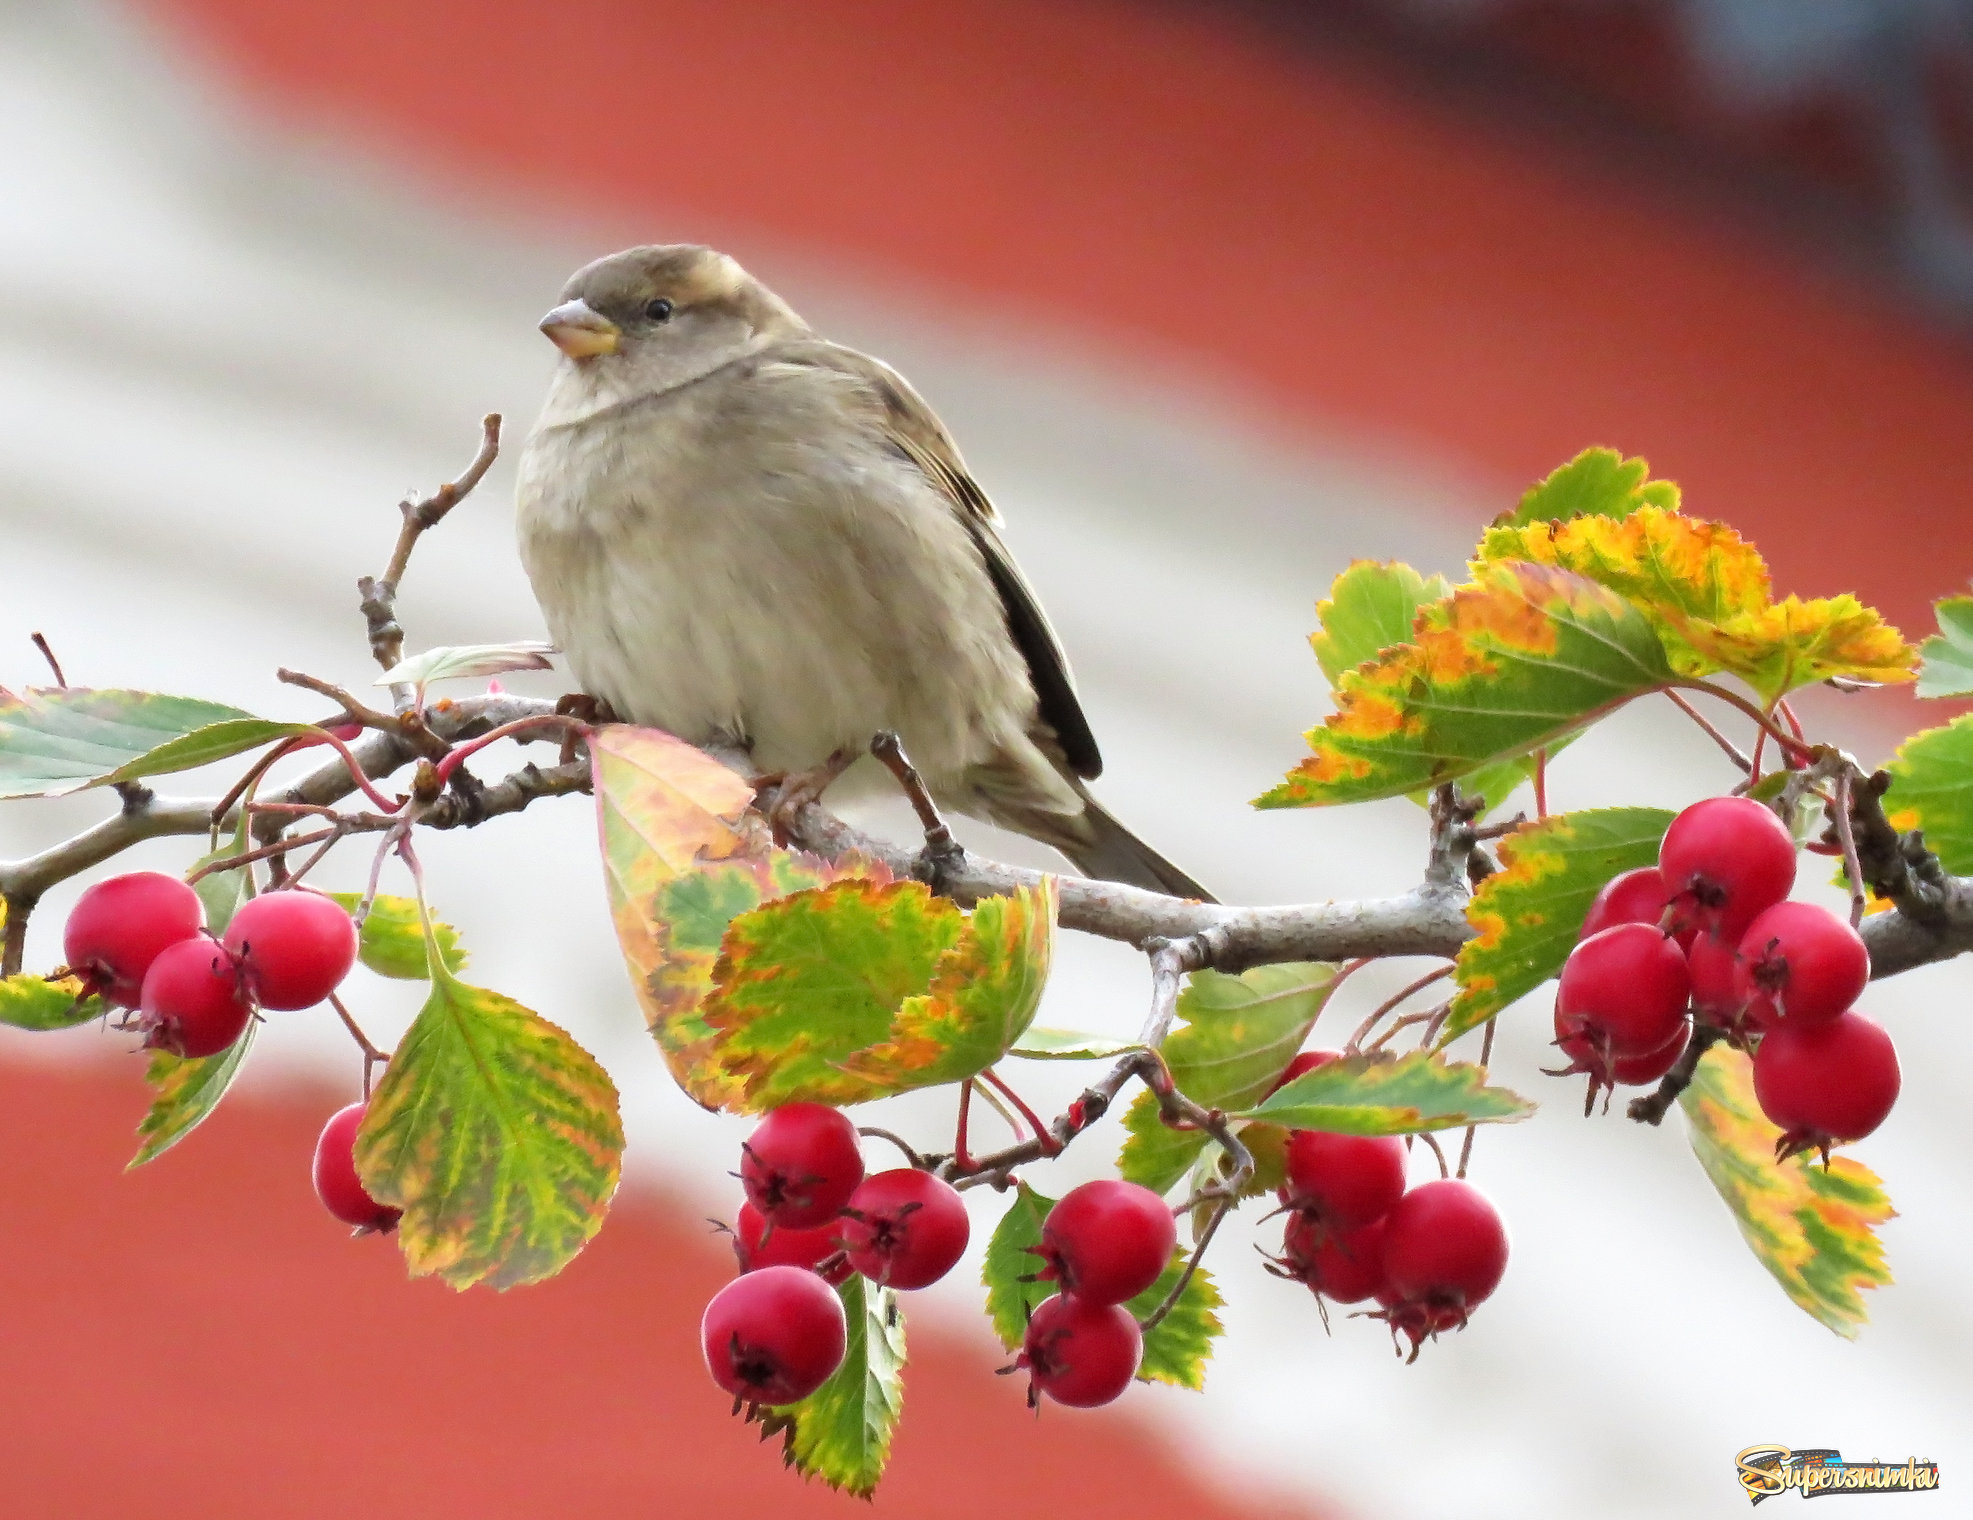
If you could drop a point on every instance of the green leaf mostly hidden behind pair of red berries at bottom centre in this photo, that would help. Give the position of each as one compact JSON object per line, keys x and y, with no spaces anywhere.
{"x":1175,"y":1349}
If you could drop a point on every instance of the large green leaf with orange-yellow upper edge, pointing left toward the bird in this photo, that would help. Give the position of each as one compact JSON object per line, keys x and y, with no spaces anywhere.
{"x":1506,"y":664}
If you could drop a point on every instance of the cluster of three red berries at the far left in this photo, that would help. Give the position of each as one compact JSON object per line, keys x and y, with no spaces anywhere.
{"x":141,"y":943}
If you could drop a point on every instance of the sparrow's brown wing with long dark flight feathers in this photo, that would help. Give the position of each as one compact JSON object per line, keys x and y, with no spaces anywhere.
{"x":914,"y":431}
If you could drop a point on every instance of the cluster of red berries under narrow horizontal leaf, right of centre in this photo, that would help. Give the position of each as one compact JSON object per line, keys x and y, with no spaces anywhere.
{"x":1429,"y":1256}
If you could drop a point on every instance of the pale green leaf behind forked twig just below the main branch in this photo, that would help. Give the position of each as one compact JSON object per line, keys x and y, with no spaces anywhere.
{"x":1232,"y":1039}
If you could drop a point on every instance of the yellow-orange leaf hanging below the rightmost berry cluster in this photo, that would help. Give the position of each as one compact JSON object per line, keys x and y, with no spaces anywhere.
{"x":1812,"y":1229}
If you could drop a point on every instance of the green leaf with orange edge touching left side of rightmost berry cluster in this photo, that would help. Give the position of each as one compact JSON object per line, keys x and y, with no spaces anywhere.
{"x":1526,"y":915}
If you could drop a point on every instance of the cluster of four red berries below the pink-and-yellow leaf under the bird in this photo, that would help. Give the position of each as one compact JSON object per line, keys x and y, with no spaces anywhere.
{"x":812,"y":1217}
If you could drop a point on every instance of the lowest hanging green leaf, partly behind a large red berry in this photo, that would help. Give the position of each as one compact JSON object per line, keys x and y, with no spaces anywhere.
{"x":841,"y":1432}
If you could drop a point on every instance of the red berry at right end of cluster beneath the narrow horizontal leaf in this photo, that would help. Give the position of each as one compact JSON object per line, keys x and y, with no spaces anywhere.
{"x":1445,"y":1253}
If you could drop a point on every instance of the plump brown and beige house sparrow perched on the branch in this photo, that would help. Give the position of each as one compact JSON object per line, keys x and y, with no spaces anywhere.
{"x":759,"y":540}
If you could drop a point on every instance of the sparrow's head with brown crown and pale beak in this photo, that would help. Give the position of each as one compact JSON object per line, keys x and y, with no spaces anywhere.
{"x":664,"y":315}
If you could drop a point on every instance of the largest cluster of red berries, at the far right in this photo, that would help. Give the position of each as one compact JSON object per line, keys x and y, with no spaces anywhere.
{"x":1710,"y":933}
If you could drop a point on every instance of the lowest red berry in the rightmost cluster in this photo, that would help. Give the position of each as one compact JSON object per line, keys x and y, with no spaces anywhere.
{"x":1826,"y":1083}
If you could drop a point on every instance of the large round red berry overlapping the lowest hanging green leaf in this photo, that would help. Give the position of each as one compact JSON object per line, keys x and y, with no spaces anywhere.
{"x":774,"y":1335}
